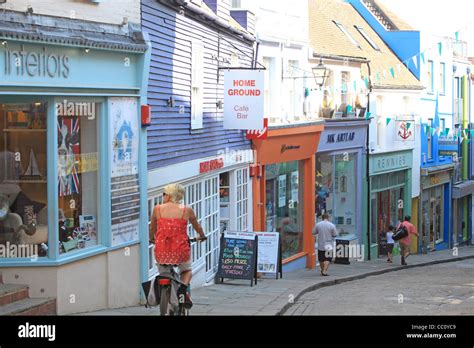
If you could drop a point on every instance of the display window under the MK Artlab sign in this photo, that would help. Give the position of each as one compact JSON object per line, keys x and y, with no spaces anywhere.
{"x":336,"y":190}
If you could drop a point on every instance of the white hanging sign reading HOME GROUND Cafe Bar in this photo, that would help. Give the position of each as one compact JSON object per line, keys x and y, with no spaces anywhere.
{"x":243,"y":99}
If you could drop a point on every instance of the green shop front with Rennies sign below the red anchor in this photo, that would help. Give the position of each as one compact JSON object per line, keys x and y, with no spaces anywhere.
{"x":390,"y":195}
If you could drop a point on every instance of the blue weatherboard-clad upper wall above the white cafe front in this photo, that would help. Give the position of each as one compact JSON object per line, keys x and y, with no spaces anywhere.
{"x":170,"y":139}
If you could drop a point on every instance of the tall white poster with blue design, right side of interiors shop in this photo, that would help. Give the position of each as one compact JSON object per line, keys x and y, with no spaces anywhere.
{"x":123,"y":149}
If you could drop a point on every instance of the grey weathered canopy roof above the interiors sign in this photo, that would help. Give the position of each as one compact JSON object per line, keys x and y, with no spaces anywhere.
{"x":19,"y":26}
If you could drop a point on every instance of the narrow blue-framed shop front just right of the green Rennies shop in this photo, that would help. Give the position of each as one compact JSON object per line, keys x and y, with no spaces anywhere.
{"x":435,"y":208}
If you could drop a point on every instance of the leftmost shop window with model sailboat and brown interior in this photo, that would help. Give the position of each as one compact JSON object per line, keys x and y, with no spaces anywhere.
{"x":23,"y":188}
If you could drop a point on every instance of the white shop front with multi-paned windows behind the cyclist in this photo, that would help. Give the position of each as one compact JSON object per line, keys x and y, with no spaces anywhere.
{"x":219,"y":190}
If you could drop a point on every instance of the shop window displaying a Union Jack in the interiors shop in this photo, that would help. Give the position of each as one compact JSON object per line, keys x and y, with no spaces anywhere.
{"x":78,"y":184}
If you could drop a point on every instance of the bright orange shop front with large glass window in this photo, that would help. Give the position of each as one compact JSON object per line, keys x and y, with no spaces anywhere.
{"x":284,"y":189}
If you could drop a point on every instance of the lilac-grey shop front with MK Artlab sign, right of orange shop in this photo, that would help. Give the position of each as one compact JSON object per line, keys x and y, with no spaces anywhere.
{"x":340,"y":177}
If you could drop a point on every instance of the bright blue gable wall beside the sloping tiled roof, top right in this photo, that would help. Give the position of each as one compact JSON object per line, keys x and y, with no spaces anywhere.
{"x":405,"y":44}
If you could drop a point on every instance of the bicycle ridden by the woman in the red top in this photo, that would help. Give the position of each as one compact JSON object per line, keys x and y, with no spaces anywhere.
{"x":170,"y":284}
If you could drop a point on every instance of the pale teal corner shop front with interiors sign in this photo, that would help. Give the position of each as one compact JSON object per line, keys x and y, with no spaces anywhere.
{"x":73,"y":165}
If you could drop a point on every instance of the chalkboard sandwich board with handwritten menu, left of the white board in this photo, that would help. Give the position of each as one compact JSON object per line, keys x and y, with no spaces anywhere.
{"x":238,"y":256}
